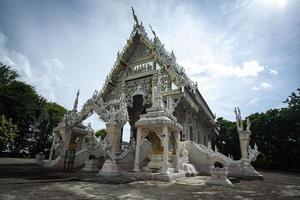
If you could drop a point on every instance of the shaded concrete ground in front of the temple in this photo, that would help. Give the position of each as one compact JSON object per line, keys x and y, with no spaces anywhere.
{"x":23,"y":179}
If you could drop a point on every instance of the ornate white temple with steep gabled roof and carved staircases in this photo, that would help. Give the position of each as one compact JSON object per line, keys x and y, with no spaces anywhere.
{"x":171,"y":124}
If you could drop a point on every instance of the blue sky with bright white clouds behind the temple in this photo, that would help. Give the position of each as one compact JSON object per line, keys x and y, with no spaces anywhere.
{"x":242,"y":53}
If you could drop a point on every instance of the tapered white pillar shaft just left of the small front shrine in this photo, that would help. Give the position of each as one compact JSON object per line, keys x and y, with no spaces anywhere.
{"x":114,"y":135}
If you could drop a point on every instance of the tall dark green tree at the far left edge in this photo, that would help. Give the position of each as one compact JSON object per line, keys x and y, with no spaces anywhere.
{"x":20,"y":102}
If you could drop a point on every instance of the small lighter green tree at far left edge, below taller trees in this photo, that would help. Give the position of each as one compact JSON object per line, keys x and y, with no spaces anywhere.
{"x":8,"y":132}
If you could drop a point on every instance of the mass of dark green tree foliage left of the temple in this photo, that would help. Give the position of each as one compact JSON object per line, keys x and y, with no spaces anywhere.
{"x":33,"y":115}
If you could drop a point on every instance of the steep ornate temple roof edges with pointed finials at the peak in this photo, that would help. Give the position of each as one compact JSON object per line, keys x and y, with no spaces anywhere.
{"x":166,"y":59}
